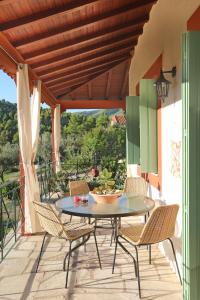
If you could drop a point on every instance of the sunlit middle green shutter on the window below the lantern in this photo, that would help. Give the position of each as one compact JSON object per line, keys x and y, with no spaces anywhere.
{"x":148,"y":127}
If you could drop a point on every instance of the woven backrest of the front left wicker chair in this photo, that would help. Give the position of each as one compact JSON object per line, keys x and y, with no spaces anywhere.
{"x":49,"y":219}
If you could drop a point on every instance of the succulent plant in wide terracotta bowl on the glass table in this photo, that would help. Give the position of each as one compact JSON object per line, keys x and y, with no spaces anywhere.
{"x":105,"y":192}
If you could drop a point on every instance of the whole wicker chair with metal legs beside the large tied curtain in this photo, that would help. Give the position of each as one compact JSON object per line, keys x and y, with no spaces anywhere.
{"x":52,"y":225}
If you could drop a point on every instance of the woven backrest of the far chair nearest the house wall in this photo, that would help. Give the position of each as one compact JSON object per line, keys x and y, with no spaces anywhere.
{"x":136,"y":186}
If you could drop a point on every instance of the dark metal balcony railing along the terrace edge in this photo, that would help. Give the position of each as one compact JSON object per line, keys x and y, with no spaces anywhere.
{"x":11,"y":194}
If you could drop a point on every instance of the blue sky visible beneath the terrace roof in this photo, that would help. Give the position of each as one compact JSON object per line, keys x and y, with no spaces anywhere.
{"x":8,"y":90}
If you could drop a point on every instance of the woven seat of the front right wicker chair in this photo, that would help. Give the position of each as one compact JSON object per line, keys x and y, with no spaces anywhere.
{"x":132,"y":233}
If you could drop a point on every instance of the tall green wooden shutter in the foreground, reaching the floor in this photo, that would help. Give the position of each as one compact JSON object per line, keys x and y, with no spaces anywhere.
{"x":191,"y":165}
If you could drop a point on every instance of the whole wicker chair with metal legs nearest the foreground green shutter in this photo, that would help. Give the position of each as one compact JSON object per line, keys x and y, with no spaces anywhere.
{"x":159,"y":227}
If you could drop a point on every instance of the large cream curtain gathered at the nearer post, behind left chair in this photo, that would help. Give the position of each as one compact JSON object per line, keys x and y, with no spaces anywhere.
{"x":28,"y":126}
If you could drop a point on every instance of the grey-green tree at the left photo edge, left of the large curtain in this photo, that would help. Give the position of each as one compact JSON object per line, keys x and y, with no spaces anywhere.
{"x":9,"y":158}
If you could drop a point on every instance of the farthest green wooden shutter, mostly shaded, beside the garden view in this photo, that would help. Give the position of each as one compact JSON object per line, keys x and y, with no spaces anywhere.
{"x":132,"y":132}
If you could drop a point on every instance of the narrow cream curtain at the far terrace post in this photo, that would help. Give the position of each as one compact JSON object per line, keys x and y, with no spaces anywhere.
{"x":57,"y":137}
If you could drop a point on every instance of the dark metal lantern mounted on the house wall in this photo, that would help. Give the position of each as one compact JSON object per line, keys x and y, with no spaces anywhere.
{"x":162,"y":84}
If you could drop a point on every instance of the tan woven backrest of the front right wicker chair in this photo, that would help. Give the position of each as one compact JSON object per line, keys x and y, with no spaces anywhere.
{"x":160,"y":225}
